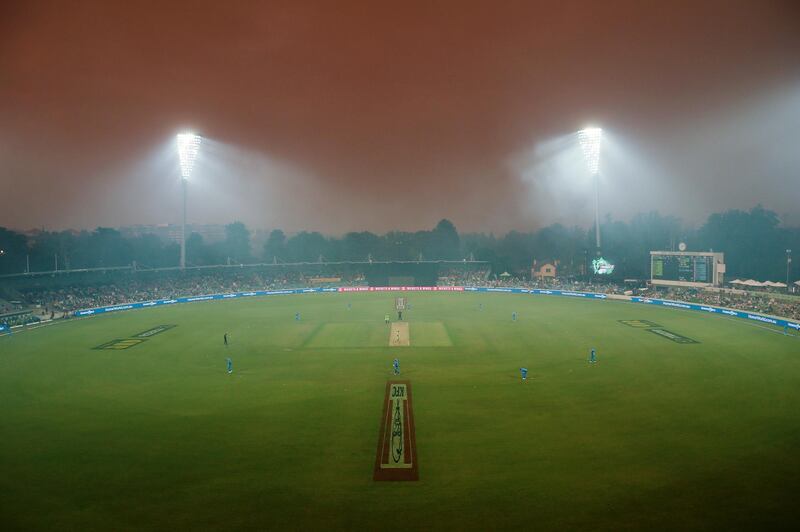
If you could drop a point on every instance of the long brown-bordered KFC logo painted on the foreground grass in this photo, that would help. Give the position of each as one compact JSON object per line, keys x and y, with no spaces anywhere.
{"x":396,"y":457}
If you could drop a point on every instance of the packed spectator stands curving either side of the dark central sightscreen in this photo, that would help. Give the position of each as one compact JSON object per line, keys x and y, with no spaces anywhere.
{"x":60,"y":302}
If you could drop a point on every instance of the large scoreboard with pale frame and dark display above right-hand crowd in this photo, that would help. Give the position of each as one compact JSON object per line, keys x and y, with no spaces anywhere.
{"x":687,"y":268}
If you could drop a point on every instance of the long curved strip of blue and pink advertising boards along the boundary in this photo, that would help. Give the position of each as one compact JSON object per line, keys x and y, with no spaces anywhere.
{"x":752,"y":316}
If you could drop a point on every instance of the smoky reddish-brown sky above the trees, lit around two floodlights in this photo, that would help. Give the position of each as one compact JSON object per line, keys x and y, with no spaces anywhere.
{"x":337,"y":116}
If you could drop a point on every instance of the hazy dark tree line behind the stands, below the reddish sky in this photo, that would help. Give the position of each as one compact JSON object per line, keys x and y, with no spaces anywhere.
{"x":754,"y":242}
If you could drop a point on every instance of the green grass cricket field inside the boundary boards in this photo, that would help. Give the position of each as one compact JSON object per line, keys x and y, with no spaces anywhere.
{"x":656,"y":435}
